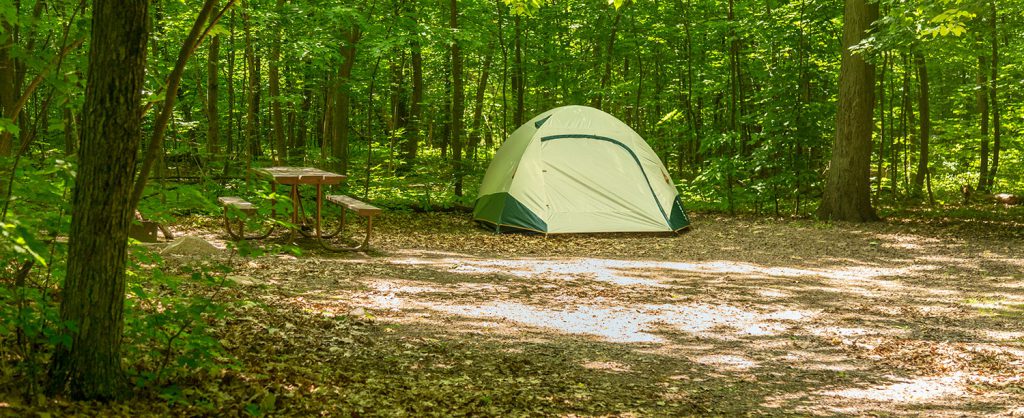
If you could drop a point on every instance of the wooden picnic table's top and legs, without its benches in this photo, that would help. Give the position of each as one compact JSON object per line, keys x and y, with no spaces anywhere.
{"x":295,"y":177}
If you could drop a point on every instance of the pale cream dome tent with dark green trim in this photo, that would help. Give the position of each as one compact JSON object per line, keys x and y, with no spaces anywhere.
{"x":577,"y":170}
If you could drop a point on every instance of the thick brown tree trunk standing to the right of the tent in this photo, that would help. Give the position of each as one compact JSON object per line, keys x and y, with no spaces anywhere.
{"x":848,"y":194}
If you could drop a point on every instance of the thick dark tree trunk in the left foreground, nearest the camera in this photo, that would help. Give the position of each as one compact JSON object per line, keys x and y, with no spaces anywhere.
{"x":95,"y":288}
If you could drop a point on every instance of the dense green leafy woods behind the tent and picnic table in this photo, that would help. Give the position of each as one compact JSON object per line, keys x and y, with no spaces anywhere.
{"x":739,"y":98}
